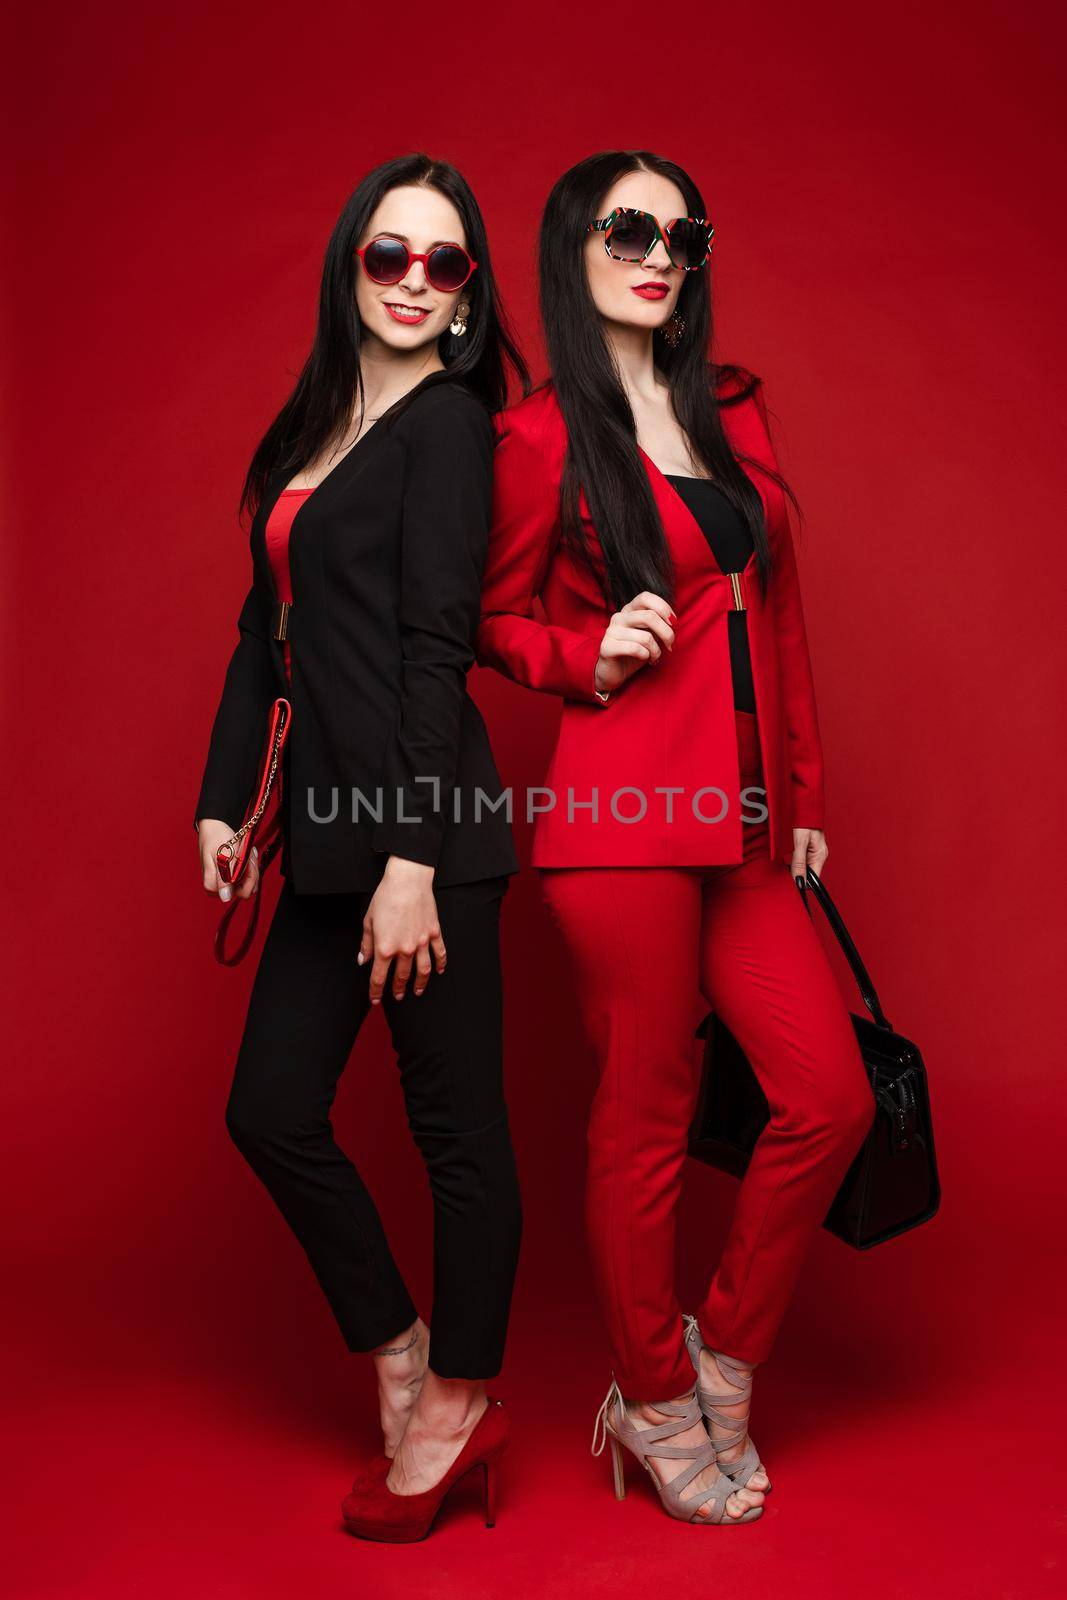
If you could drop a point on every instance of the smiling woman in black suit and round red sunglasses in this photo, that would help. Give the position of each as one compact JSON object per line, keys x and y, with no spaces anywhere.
{"x":370,"y":498}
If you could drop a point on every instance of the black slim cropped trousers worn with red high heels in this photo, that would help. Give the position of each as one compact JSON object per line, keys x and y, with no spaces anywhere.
{"x":308,"y":1004}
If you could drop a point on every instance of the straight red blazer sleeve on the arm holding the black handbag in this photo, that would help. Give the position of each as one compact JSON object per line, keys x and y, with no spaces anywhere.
{"x":799,"y":698}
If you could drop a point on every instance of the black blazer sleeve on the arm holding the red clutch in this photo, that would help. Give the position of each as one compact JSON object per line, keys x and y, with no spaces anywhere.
{"x":241,"y":722}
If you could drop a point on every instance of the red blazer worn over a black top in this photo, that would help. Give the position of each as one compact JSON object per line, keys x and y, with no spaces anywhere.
{"x":671,"y":726}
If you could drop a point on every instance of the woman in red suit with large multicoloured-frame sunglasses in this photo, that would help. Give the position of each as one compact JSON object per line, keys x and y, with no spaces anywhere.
{"x":637,"y":497}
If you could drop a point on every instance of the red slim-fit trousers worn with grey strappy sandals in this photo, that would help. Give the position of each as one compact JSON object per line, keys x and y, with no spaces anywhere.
{"x":645,"y":943}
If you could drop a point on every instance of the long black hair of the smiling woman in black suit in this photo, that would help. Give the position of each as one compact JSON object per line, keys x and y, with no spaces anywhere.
{"x":319,"y":409}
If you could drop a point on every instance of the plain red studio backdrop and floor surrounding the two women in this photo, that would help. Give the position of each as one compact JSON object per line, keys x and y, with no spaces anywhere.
{"x":890,"y":258}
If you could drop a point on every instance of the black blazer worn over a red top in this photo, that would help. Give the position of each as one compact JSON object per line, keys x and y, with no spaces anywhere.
{"x":386,"y":570}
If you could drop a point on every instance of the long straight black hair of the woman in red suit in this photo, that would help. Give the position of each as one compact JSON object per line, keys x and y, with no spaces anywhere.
{"x":602,"y":454}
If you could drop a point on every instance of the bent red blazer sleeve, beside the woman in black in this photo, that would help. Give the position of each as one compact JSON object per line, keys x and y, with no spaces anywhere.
{"x":522,"y":540}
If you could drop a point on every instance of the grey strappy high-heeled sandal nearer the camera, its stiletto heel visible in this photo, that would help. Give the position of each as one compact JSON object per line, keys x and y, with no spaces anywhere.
{"x":615,"y":1425}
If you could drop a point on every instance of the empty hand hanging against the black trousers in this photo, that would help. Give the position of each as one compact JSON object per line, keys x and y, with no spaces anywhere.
{"x":402,"y":922}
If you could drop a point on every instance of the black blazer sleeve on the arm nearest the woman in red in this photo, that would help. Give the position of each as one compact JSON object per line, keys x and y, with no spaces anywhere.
{"x":446,"y":519}
